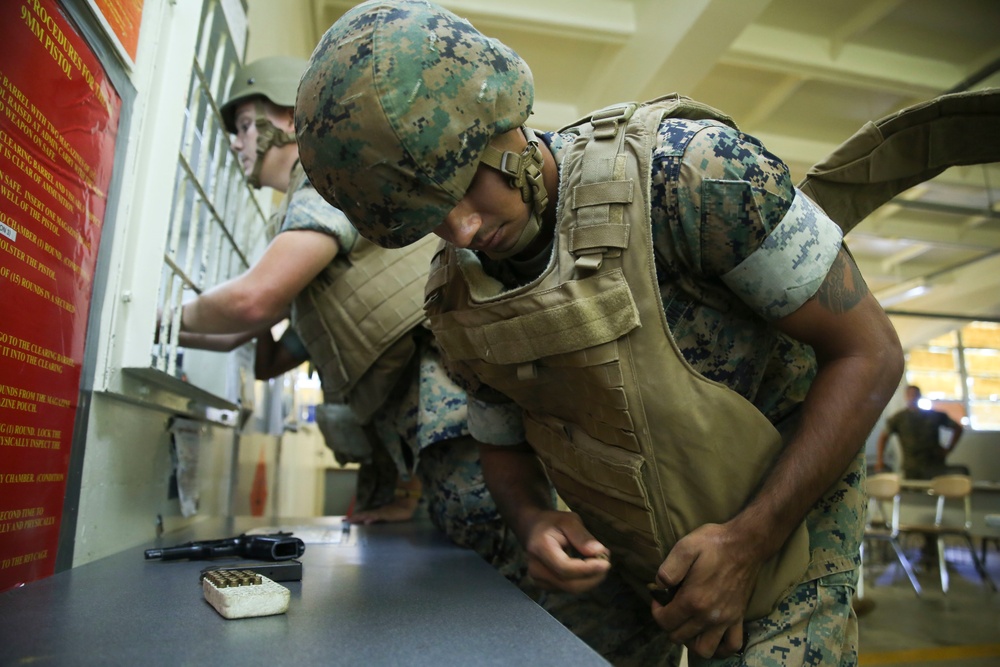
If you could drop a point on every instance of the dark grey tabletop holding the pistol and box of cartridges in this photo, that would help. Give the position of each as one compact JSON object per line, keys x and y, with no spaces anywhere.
{"x":393,"y":594}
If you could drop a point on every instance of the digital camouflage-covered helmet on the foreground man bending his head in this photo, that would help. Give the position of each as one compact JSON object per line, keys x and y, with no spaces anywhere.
{"x":395,"y":109}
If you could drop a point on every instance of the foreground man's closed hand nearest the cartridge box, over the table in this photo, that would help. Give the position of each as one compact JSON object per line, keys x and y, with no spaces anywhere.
{"x":563,"y":555}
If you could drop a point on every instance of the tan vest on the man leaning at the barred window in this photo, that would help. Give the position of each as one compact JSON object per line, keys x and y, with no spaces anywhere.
{"x":354,"y":316}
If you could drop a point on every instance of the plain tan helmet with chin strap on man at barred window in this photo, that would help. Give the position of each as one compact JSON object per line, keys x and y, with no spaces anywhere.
{"x":275,"y":79}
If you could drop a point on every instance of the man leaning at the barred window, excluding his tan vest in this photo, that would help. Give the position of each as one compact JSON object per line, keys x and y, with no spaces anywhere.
{"x":420,"y":429}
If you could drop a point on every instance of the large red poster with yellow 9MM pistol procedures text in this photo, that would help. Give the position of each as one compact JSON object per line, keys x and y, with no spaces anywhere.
{"x":58,"y":126}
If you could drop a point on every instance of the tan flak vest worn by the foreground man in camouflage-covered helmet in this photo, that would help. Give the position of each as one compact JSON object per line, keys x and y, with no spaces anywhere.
{"x":638,"y":443}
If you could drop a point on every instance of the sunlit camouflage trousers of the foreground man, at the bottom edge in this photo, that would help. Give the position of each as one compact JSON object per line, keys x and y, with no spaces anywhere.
{"x":815,"y":626}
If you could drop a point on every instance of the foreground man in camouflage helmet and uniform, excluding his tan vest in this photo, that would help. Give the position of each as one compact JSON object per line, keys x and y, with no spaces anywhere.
{"x":397,"y":114}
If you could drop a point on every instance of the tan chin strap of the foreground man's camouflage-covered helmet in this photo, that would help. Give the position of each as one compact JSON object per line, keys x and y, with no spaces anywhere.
{"x":524,"y":171}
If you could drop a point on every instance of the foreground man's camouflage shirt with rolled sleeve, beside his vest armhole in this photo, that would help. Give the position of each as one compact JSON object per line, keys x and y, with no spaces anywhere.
{"x":730,"y":233}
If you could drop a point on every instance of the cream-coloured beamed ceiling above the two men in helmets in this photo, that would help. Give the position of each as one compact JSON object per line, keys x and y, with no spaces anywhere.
{"x":801,"y":75}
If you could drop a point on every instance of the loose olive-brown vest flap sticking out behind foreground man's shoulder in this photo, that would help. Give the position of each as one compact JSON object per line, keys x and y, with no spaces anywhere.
{"x":899,"y":151}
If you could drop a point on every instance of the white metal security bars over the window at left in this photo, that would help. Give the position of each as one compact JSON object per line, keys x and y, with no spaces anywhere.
{"x":215,"y":221}
